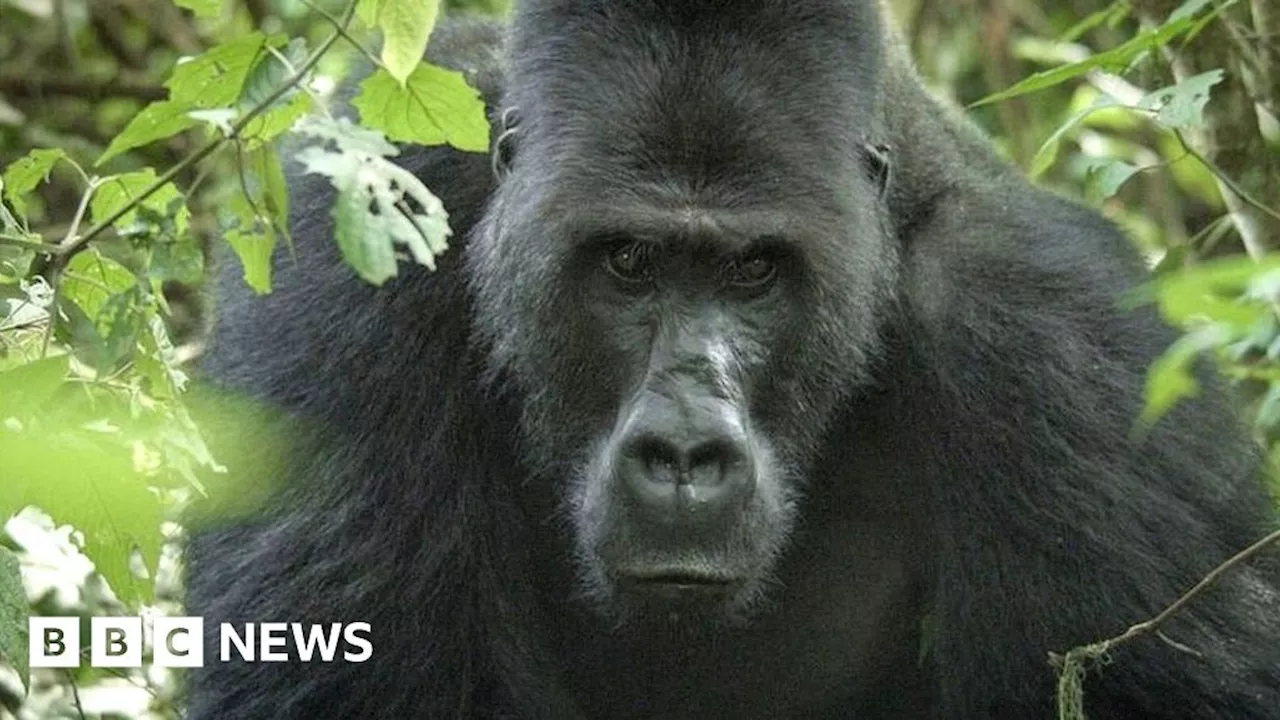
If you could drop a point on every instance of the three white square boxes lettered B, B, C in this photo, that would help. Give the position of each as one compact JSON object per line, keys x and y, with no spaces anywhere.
{"x":117,"y":642}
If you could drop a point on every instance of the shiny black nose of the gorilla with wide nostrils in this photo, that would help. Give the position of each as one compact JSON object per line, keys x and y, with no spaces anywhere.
{"x":687,"y":459}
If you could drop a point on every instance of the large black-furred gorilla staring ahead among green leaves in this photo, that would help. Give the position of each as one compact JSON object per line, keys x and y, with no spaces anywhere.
{"x":756,"y":386}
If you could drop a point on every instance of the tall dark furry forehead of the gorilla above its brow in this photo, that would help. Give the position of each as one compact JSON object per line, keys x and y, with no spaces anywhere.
{"x":712,"y":103}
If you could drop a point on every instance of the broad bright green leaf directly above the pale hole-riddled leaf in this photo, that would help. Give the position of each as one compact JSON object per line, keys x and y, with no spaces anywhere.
{"x":432,"y":108}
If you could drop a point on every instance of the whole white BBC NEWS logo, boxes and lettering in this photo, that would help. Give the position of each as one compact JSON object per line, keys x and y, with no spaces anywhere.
{"x":180,"y":642}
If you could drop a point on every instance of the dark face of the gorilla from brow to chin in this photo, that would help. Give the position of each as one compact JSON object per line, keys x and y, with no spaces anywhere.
{"x":679,"y":357}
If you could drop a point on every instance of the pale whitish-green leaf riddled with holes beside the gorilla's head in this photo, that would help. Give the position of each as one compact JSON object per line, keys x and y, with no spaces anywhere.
{"x":380,"y":204}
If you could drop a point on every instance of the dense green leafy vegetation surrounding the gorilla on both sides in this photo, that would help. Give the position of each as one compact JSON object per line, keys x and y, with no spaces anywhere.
{"x":140,"y":138}
